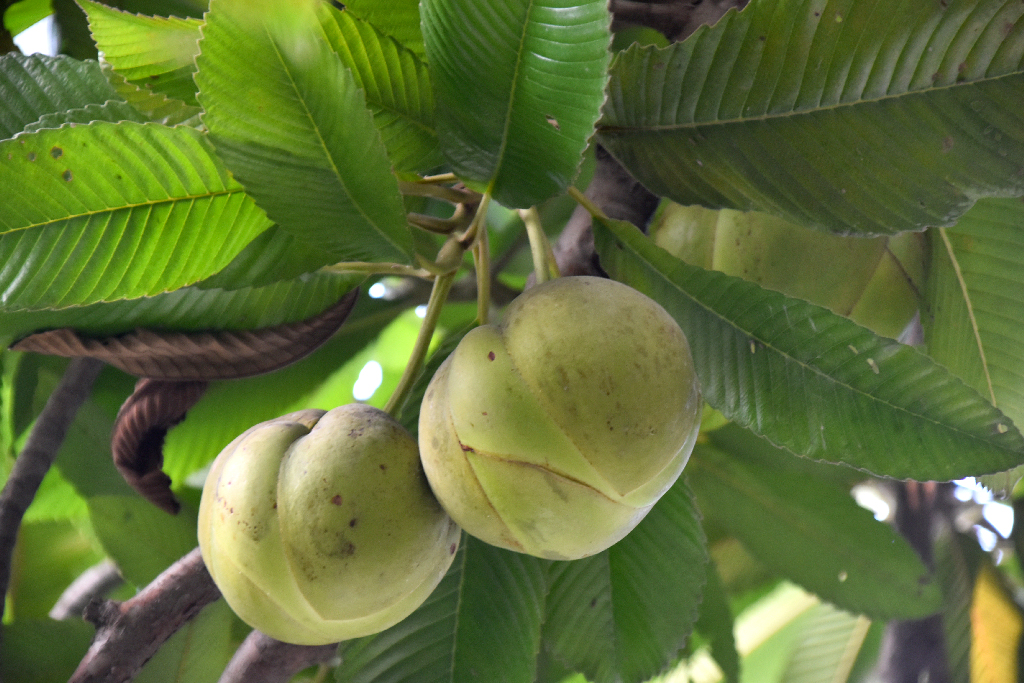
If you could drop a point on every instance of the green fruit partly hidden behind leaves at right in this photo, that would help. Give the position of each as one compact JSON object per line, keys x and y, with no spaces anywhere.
{"x":876,"y":282}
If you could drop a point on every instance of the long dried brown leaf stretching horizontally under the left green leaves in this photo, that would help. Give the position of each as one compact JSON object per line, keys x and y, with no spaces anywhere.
{"x":200,"y":356}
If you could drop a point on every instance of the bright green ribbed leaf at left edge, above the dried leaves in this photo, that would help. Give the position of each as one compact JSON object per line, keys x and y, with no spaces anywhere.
{"x":115,"y":211}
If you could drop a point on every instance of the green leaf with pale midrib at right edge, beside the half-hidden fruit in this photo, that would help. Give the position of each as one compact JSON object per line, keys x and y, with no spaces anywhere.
{"x":975,"y":307}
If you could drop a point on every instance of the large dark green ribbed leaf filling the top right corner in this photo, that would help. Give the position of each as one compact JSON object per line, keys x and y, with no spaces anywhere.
{"x":852,"y":116}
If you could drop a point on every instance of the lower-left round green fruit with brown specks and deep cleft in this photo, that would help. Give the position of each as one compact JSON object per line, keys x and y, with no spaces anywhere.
{"x":321,"y":527}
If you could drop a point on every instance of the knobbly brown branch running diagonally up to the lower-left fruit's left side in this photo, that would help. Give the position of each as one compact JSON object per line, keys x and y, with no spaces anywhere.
{"x":130,"y":633}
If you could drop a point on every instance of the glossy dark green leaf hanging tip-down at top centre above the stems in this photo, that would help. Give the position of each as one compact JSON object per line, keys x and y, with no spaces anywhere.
{"x":521,"y":84}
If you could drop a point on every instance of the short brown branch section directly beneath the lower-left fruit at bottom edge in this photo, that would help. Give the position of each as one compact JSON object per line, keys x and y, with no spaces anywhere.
{"x":261,"y":659}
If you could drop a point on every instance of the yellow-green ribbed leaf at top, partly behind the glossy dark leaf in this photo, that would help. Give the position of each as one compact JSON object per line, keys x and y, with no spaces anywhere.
{"x":397,"y":86}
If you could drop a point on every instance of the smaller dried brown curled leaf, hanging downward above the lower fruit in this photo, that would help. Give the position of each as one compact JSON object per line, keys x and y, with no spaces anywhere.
{"x":138,"y":443}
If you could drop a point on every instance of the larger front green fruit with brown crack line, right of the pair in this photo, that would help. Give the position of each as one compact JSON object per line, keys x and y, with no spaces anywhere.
{"x":554,"y":433}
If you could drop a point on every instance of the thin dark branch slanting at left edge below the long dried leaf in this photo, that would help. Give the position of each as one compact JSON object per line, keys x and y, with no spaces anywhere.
{"x":40,"y":450}
